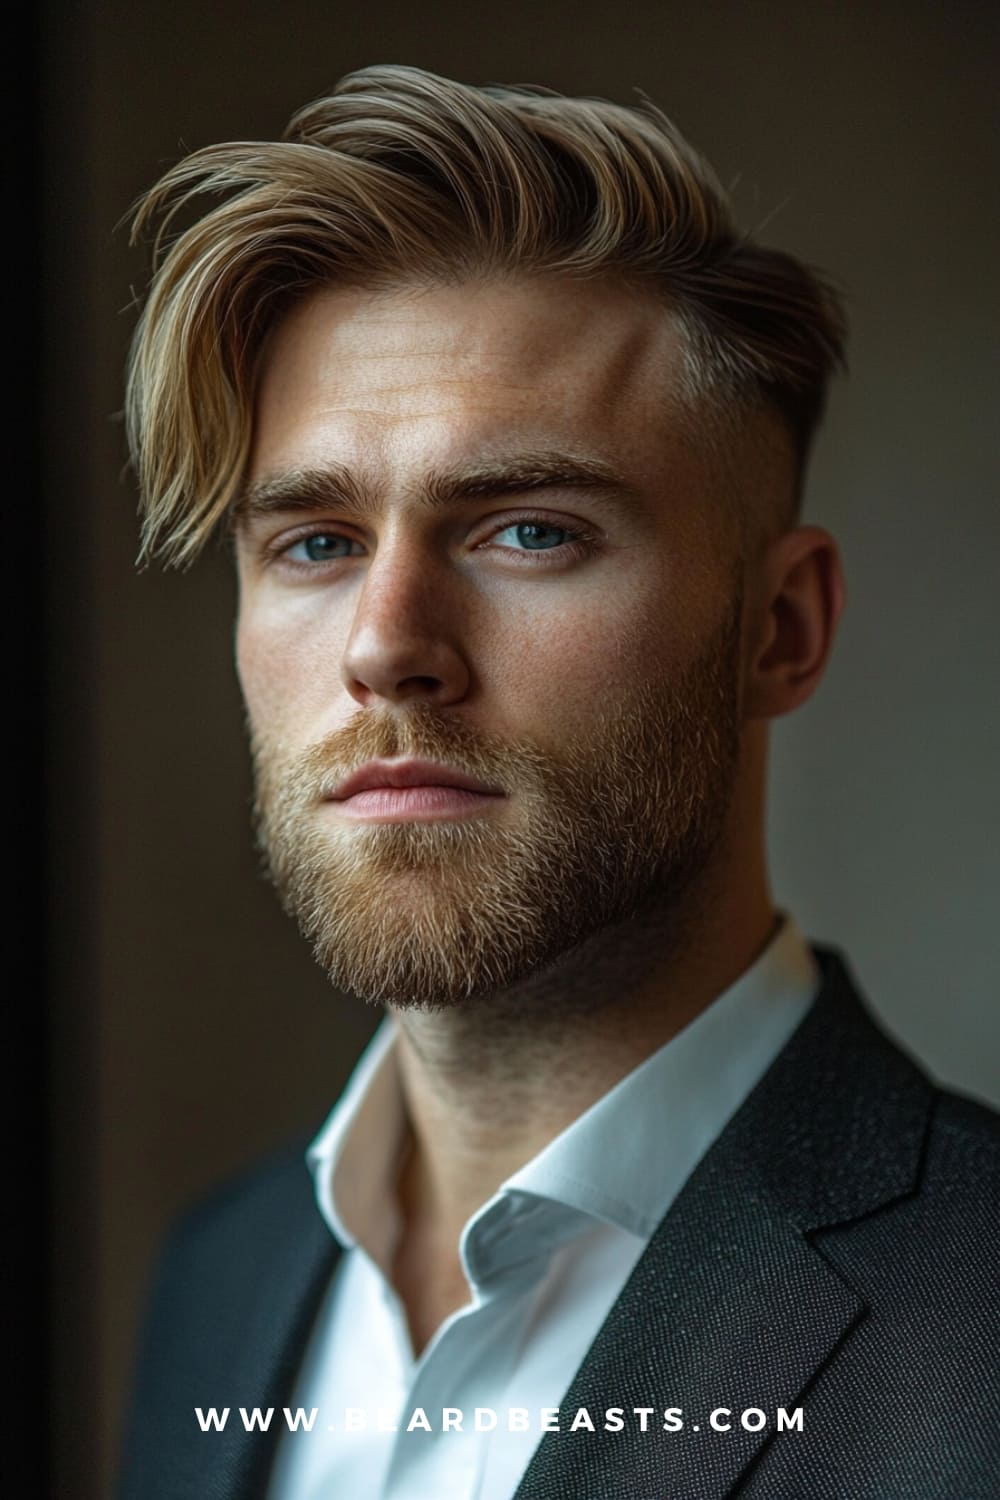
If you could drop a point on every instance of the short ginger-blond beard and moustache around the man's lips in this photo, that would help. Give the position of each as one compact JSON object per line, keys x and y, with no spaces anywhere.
{"x":434,"y":914}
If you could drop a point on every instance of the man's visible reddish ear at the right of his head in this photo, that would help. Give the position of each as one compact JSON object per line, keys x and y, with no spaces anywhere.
{"x":800,"y":599}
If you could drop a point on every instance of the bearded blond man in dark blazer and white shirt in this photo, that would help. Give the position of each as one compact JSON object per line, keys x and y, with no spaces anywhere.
{"x":630,"y":1196}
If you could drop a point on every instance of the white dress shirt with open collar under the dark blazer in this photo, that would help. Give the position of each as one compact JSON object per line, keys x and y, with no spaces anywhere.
{"x":545,"y":1258}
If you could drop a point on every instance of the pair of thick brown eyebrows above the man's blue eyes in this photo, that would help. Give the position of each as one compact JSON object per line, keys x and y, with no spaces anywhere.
{"x":340,"y":488}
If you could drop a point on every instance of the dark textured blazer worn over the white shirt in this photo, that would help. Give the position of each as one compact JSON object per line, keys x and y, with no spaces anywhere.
{"x":837,"y":1250}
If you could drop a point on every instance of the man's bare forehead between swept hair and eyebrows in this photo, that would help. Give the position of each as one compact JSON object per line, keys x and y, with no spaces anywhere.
{"x":389,"y":379}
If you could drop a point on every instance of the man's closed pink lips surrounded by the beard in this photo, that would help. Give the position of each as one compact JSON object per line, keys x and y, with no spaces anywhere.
{"x":412,"y":791}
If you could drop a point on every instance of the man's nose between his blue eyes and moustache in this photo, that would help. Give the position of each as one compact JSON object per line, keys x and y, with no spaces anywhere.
{"x":404,"y":640}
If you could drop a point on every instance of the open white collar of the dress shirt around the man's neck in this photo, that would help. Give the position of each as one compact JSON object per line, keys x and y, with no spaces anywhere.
{"x":623,"y":1162}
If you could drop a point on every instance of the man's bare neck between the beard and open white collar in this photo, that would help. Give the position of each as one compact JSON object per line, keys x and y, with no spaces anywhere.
{"x":491,"y":1084}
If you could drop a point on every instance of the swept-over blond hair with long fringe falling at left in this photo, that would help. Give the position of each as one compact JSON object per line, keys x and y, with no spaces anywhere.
{"x":401,"y":176}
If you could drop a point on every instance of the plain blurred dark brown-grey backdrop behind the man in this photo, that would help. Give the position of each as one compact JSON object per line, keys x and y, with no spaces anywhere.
{"x":190,"y":1030}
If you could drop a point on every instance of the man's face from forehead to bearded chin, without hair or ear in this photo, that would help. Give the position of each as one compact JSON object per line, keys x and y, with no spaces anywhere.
{"x":475,"y":547}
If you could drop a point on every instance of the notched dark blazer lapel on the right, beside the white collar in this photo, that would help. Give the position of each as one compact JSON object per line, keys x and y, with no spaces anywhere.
{"x":731,"y":1306}
